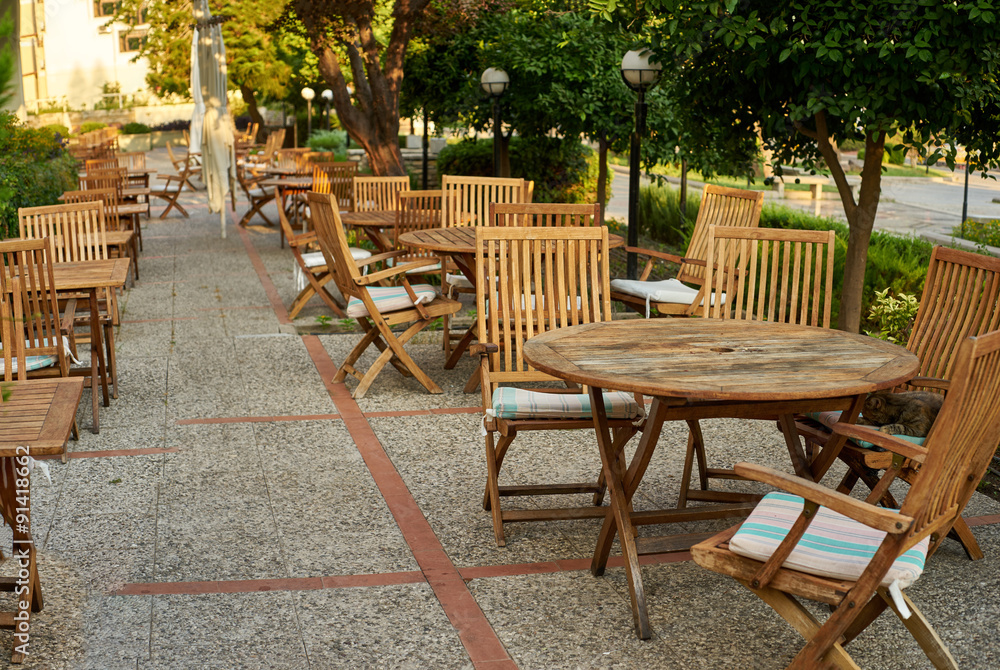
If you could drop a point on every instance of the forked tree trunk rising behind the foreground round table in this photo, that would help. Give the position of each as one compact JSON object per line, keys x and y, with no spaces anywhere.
{"x":860,"y":215}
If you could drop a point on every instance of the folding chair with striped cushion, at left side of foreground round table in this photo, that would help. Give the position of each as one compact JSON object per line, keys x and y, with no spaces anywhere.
{"x":530,"y":281}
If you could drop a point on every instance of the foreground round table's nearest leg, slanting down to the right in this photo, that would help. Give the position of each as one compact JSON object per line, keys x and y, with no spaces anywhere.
{"x":621,"y":508}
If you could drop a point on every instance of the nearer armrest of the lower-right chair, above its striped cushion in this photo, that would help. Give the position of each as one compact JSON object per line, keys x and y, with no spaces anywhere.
{"x":870,"y":515}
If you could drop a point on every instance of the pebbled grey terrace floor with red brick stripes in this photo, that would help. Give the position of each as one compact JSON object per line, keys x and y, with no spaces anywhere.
{"x":238,"y":510}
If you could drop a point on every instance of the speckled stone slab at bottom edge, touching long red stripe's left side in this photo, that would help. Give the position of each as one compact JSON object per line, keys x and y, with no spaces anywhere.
{"x":371,"y":627}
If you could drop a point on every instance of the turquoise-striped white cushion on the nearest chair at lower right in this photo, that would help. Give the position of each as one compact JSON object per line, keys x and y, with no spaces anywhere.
{"x":833,"y":546}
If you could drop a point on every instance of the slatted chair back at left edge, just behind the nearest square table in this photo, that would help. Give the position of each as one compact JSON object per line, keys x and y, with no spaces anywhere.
{"x":26,"y":277}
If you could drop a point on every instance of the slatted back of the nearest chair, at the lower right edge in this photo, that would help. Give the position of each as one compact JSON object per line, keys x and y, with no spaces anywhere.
{"x":961,"y":441}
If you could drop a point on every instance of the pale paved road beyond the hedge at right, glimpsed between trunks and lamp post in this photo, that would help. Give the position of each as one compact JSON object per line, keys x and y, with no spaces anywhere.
{"x":908,"y":204}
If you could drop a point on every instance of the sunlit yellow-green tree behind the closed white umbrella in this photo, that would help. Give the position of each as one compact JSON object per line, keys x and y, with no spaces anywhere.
{"x":256,"y":58}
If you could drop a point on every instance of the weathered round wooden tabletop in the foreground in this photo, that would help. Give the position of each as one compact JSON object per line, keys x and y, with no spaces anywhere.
{"x":716,"y":359}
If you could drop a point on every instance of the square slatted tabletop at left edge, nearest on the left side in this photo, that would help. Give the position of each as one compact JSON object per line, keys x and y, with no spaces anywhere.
{"x":38,"y":413}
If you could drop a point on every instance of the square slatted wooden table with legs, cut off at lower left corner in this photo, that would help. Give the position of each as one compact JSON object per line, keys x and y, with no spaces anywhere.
{"x":35,"y":420}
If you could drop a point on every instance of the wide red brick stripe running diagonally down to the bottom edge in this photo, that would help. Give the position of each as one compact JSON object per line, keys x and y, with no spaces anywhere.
{"x":474,"y":630}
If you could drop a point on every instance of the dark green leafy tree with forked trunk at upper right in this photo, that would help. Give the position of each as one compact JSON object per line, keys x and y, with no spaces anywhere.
{"x":808,"y":74}
